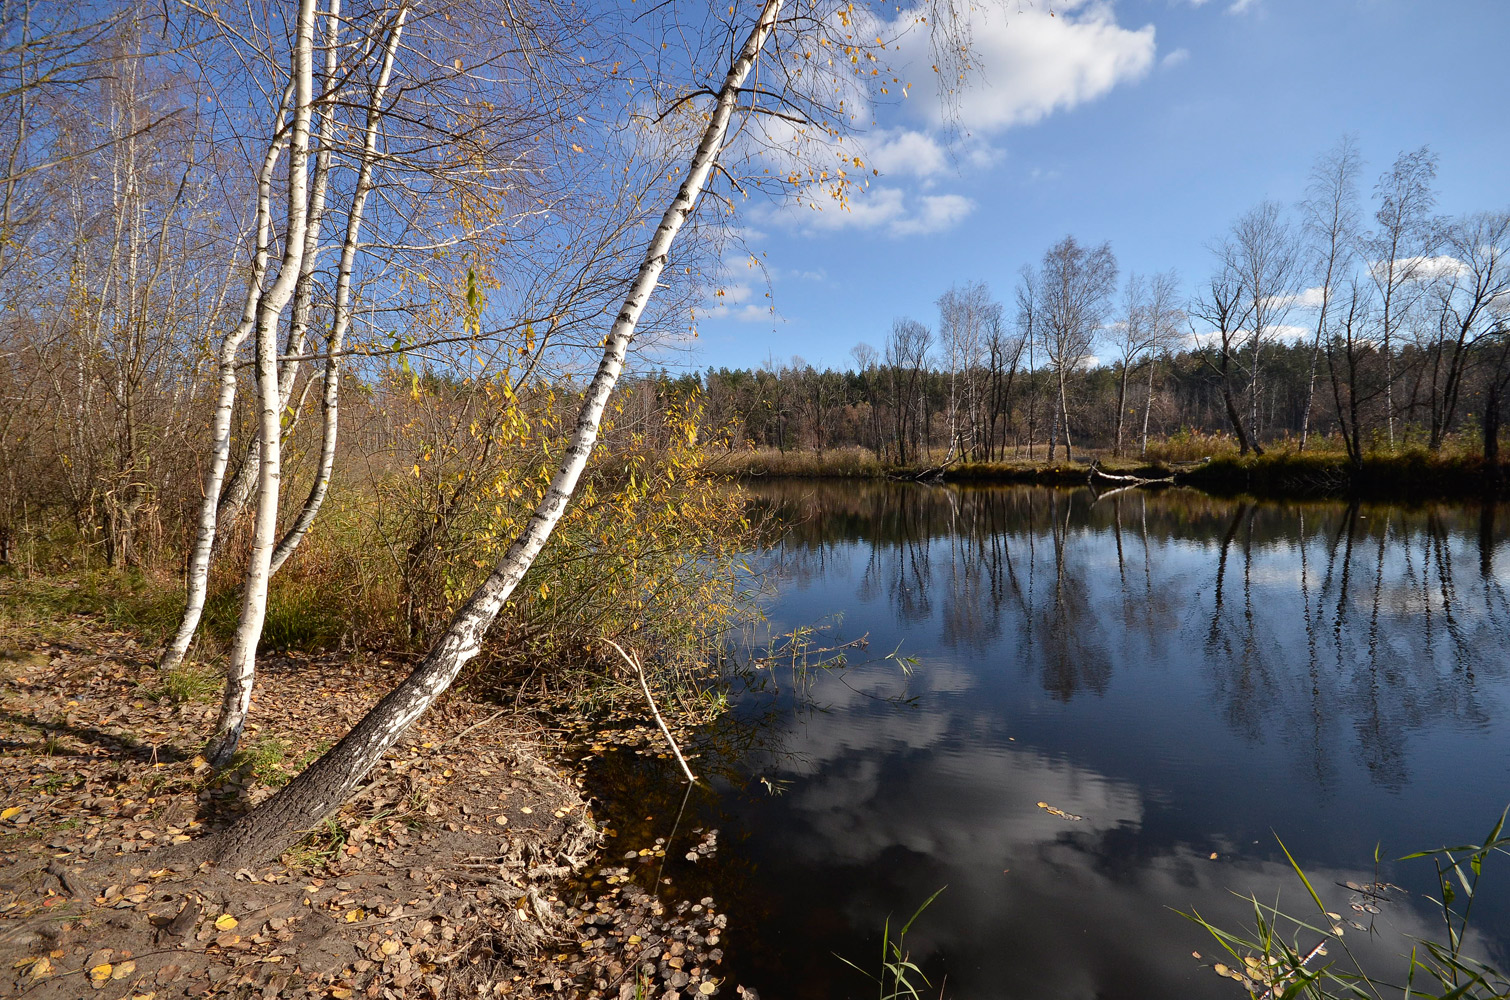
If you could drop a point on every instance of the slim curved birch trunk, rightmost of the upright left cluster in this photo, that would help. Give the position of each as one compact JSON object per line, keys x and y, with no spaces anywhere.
{"x":344,"y":309}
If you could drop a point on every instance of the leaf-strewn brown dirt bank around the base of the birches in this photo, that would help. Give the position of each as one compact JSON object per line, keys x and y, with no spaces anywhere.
{"x":472,"y":866}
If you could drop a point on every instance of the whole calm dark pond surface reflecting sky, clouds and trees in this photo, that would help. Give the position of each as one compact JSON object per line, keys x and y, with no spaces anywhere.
{"x":1188,"y":676}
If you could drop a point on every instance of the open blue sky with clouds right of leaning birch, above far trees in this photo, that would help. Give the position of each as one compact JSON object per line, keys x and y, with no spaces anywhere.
{"x":1153,"y":125}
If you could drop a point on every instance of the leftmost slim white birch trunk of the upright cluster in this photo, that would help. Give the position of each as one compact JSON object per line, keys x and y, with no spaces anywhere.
{"x":199,"y":575}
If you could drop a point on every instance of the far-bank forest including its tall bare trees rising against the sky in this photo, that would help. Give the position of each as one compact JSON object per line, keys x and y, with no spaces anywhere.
{"x":1343,"y":326}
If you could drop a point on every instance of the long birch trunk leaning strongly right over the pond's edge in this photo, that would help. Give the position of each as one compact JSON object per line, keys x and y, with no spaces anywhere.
{"x":331,"y":780}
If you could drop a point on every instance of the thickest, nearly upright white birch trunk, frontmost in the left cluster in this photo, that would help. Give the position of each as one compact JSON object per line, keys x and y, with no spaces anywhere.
{"x":241,"y":667}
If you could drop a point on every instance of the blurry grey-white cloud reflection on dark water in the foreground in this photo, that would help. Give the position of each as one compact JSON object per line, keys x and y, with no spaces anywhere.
{"x":1085,"y":906}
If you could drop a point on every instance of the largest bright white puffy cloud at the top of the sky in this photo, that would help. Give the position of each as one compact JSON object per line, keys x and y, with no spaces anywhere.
{"x":1037,"y":63}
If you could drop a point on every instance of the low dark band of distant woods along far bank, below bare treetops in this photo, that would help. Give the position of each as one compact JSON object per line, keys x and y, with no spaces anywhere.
{"x":1002,"y":412}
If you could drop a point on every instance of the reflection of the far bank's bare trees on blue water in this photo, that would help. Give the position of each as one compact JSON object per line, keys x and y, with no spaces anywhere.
{"x":1337,"y":629}
